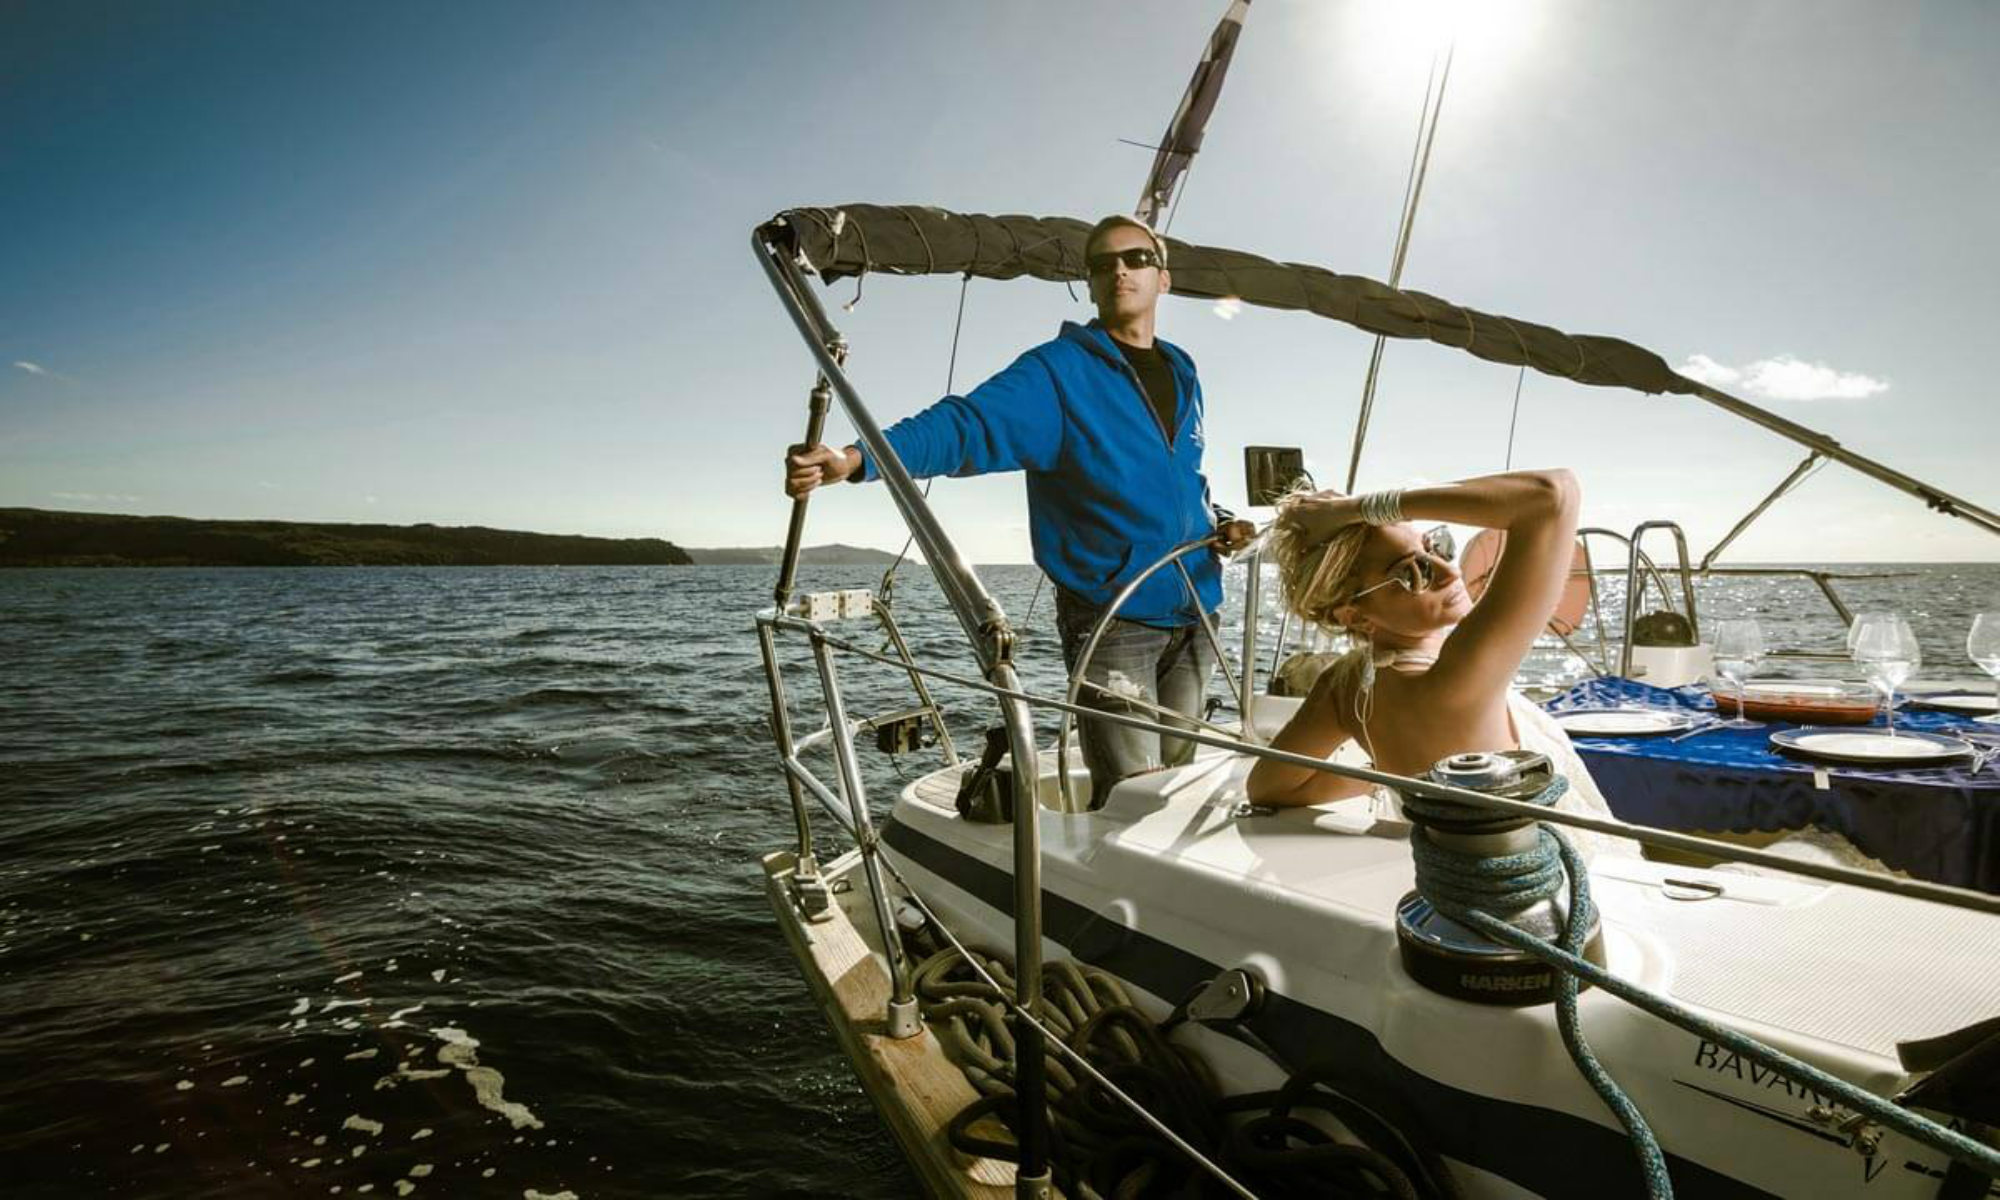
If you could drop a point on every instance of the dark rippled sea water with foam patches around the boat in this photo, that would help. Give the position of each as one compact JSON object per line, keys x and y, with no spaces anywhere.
{"x":443,"y":881}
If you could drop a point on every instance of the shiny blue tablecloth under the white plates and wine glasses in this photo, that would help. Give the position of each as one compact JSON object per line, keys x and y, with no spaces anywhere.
{"x":1937,"y":823}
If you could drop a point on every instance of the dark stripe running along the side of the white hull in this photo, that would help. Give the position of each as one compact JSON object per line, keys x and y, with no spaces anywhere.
{"x":1551,"y":1153}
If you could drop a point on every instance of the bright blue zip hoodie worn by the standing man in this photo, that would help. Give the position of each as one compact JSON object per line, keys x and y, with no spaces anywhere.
{"x":1109,"y":493}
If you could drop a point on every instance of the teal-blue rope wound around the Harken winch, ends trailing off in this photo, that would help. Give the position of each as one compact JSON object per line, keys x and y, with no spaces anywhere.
{"x":1527,"y":875}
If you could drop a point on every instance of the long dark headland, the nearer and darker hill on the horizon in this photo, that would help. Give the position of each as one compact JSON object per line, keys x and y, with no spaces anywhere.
{"x":35,"y":537}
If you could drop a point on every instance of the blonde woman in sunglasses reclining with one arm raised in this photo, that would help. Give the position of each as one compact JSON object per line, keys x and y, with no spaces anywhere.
{"x":1433,"y":673}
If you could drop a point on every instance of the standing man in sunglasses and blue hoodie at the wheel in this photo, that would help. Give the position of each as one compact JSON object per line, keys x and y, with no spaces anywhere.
{"x":1107,"y":425}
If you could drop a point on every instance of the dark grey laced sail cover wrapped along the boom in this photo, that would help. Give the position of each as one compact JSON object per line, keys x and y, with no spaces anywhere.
{"x":909,"y":239}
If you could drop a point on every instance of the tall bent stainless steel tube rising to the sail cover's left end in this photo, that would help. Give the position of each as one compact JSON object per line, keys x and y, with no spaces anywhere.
{"x":993,"y":641}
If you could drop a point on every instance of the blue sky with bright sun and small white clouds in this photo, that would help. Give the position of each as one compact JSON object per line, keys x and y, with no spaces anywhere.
{"x":489,"y":263}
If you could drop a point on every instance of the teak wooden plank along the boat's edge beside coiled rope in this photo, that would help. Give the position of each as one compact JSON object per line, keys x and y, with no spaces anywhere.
{"x":911,"y":1081}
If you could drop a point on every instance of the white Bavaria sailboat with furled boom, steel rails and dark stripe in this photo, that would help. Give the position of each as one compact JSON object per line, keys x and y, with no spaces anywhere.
{"x":1815,"y":1033}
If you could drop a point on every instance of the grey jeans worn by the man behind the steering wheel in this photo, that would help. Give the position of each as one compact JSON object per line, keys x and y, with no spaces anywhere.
{"x":1167,"y":667}
